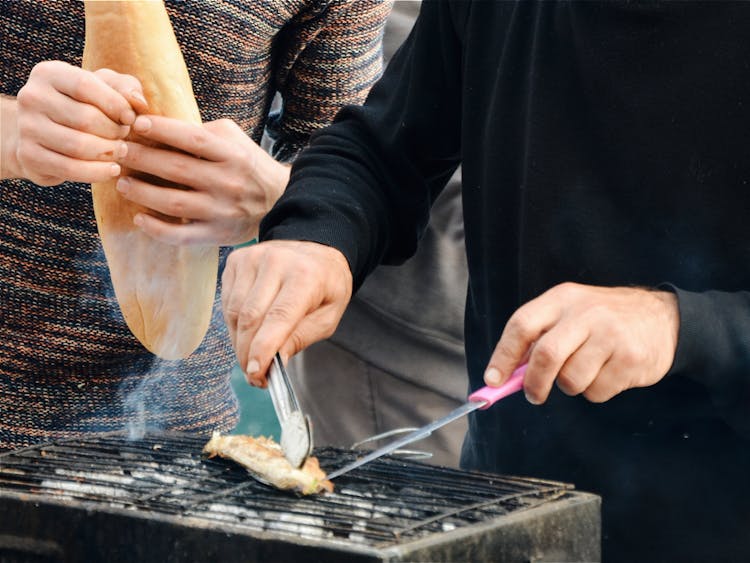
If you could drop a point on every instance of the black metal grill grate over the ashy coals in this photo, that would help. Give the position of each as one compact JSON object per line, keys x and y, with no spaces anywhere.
{"x":383,"y":503}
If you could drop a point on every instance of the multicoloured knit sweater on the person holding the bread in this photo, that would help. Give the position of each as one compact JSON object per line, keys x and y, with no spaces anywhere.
{"x":68,"y":364}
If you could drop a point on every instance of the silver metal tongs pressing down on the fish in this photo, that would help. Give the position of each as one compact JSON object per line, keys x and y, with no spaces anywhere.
{"x":296,"y":432}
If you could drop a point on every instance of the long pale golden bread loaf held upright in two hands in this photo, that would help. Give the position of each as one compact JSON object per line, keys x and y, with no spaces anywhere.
{"x":165,"y":292}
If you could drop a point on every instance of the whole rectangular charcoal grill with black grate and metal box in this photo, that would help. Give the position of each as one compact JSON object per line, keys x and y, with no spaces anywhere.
{"x":106,"y":498}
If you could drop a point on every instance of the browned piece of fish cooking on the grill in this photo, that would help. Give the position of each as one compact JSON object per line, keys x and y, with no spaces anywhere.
{"x":263,"y":459}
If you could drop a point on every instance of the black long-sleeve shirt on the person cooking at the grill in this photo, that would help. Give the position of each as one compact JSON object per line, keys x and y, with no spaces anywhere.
{"x":601,"y":143}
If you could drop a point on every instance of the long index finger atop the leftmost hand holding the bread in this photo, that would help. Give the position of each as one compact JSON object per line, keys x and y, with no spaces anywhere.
{"x":86,"y":87}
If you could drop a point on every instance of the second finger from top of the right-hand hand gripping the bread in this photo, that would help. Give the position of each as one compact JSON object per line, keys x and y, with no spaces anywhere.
{"x":169,"y":165}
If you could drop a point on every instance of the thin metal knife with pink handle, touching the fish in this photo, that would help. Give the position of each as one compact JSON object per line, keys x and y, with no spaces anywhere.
{"x":479,"y":400}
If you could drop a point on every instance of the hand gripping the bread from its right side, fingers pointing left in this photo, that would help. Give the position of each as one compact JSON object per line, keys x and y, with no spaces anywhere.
{"x":234,"y":181}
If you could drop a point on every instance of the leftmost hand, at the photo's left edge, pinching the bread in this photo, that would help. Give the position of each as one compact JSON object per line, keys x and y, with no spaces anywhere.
{"x":68,"y":124}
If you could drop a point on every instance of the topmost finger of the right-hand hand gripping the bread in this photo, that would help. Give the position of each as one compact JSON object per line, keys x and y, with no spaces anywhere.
{"x":187,"y":137}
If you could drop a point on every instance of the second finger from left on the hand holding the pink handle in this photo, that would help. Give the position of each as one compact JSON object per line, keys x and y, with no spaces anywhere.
{"x":549,"y":354}
